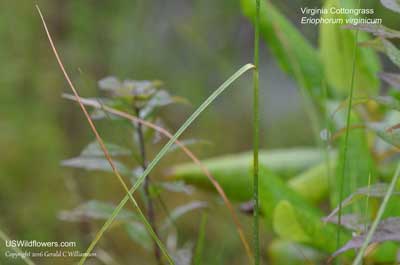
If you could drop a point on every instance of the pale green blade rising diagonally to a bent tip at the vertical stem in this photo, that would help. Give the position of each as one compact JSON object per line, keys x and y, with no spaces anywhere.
{"x":164,"y":150}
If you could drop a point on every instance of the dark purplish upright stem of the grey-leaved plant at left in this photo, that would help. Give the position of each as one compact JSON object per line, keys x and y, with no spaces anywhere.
{"x":146,"y":187}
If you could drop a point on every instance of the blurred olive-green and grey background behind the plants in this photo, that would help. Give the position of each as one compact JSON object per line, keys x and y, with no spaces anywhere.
{"x":192,"y":46}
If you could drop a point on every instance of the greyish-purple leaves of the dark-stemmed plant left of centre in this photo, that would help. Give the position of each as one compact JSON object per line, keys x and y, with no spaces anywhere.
{"x":142,"y":99}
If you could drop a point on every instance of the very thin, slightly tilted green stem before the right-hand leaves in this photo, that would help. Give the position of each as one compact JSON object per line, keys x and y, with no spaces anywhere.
{"x":346,"y":139}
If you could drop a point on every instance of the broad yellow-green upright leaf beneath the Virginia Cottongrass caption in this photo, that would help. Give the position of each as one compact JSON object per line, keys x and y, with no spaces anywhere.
{"x":337,"y":53}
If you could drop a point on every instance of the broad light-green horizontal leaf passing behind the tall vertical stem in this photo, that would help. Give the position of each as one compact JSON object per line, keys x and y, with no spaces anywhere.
{"x":233,"y":172}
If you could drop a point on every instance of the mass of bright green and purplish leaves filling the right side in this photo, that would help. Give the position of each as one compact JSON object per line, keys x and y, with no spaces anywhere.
{"x":294,"y":182}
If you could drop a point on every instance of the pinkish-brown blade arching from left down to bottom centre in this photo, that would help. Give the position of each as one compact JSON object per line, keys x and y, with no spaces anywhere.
{"x":187,"y":151}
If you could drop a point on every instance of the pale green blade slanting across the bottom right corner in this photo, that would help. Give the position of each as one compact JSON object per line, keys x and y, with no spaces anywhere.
{"x":378,"y":218}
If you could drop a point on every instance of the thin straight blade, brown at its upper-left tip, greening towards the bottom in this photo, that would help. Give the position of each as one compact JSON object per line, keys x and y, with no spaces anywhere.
{"x":103,"y":147}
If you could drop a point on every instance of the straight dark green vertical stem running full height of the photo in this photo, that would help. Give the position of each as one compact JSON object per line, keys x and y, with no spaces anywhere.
{"x":256,"y":129}
